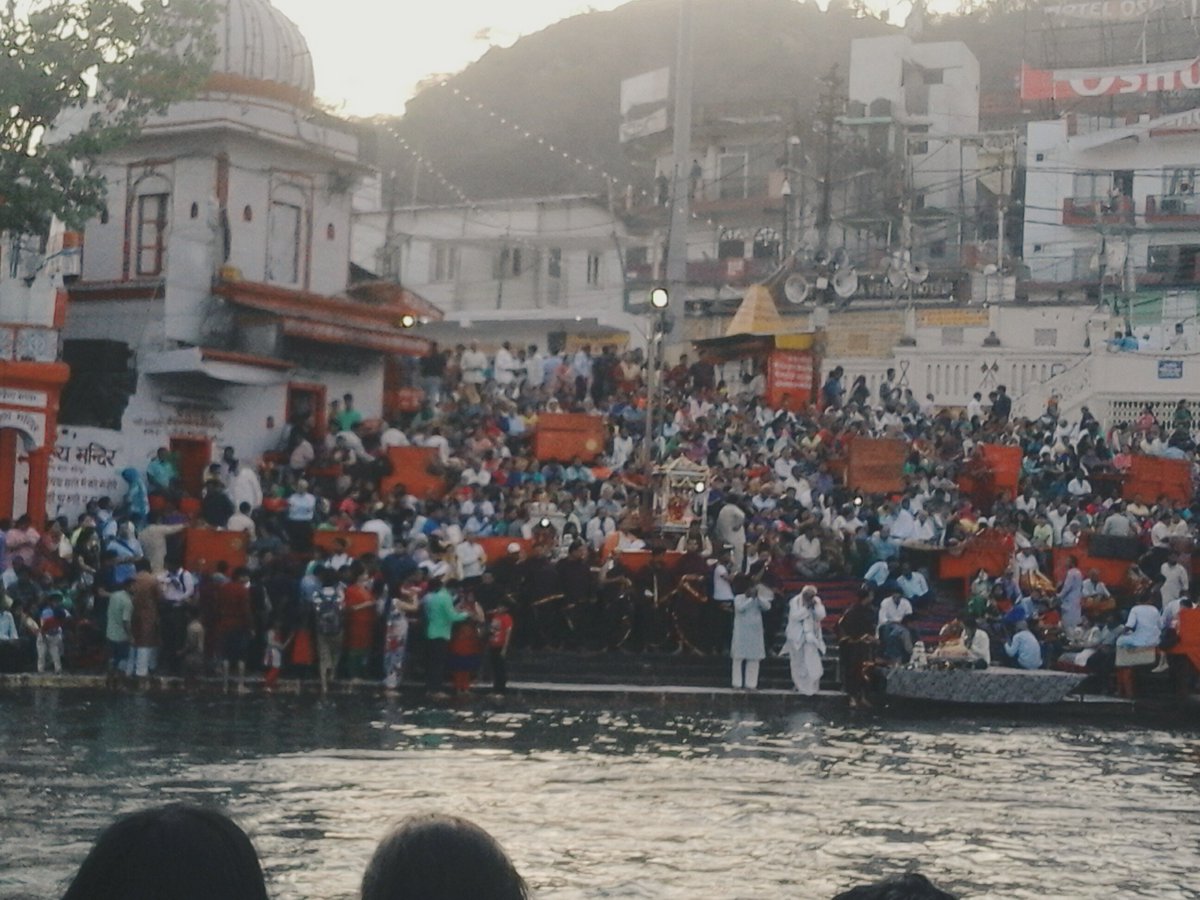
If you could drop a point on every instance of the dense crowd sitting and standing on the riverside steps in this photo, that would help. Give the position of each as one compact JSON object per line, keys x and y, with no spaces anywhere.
{"x":775,"y":520}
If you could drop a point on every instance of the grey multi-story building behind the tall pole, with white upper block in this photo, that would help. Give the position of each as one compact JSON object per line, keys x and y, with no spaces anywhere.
{"x":886,"y":171}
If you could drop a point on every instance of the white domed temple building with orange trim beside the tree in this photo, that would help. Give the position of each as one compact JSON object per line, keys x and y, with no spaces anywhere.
{"x":214,"y":303}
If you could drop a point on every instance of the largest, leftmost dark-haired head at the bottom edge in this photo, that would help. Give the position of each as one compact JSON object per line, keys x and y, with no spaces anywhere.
{"x":175,"y":853}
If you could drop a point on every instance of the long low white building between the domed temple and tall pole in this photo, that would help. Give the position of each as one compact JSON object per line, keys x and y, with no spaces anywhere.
{"x":533,"y":271}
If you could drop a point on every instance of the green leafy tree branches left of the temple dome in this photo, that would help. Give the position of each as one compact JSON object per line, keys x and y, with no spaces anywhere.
{"x":79,"y":79}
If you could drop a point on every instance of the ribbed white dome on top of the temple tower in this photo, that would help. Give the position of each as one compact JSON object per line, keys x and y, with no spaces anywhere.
{"x":260,"y":50}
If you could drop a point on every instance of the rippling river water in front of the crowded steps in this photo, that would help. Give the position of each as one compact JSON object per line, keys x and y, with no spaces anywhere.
{"x":640,"y":803}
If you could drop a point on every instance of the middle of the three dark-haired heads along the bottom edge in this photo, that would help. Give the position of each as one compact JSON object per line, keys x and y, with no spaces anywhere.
{"x":436,"y":857}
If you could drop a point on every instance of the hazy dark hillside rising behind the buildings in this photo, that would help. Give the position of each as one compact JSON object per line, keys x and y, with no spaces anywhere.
{"x":562,"y":85}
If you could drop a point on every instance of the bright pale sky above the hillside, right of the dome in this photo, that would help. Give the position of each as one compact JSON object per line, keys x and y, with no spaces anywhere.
{"x":369,"y":56}
